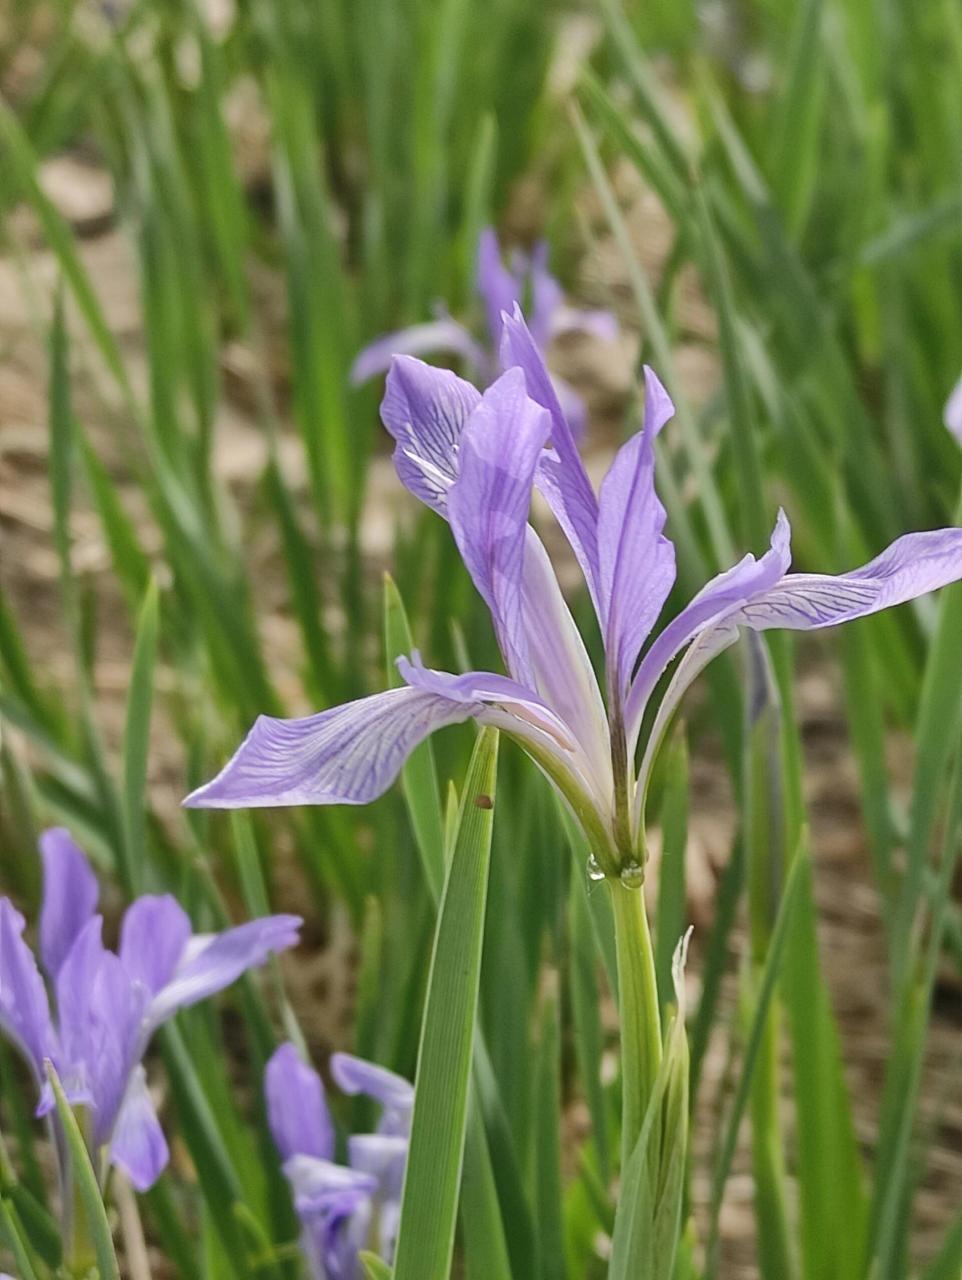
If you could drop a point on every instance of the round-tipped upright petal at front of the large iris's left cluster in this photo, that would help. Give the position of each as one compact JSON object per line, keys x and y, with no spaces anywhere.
{"x":489,"y":505}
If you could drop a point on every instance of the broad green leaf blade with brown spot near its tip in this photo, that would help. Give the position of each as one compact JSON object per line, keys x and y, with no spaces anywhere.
{"x":433,"y":1177}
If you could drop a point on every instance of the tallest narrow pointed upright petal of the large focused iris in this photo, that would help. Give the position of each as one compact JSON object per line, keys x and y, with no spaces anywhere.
{"x":561,"y":477}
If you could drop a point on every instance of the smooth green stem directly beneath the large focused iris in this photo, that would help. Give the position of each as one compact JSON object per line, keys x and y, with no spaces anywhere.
{"x":638,"y":1002}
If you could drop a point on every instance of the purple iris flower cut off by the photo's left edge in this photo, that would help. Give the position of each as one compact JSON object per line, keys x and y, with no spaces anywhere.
{"x":109,"y":1005}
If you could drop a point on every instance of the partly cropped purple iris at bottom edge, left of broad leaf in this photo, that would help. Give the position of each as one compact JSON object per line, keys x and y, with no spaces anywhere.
{"x":342,"y":1209}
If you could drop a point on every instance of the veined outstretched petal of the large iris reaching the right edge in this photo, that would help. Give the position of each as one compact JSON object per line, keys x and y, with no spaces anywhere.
{"x":910,"y":568}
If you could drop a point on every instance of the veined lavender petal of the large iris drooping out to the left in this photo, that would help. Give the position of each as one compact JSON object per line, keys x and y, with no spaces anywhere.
{"x":350,"y":755}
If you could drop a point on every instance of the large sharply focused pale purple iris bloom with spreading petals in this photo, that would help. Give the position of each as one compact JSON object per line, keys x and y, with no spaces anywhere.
{"x":475,"y":459}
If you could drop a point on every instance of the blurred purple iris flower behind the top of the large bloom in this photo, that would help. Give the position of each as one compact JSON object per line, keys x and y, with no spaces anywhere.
{"x":526,"y":281}
